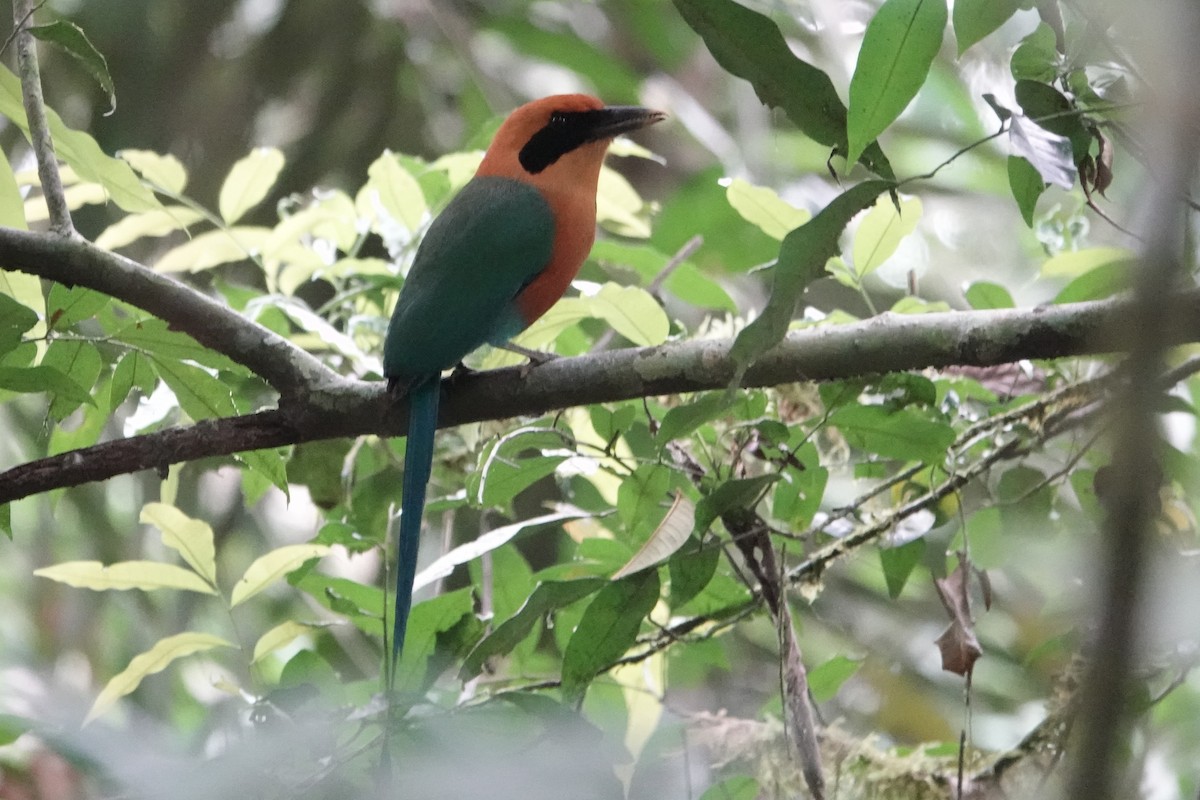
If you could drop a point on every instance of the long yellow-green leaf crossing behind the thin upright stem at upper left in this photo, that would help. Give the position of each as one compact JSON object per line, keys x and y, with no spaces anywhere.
{"x":81,"y":152}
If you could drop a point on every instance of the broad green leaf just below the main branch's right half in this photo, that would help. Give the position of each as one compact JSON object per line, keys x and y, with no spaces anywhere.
{"x":902,"y":435}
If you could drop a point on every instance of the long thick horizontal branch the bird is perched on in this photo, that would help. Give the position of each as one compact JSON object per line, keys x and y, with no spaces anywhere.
{"x":351,"y":408}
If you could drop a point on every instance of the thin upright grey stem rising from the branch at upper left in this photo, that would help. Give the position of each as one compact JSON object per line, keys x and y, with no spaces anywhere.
{"x":39,"y":127}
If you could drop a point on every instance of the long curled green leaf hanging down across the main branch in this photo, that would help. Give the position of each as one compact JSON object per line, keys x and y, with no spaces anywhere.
{"x":802,"y":260}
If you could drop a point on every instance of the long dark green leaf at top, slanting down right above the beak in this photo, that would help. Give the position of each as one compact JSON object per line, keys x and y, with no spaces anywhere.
{"x":751,"y":46}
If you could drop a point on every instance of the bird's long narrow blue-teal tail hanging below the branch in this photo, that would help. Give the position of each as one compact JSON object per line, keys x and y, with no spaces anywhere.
{"x":423,"y":423}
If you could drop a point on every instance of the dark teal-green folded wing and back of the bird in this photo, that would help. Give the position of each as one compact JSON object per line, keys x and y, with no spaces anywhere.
{"x":489,"y":243}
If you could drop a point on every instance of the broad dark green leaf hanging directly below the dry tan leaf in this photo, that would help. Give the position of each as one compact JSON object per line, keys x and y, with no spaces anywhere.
{"x":608,"y":630}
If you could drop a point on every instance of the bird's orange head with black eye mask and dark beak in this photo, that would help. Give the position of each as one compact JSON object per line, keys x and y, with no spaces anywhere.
{"x":561,"y":140}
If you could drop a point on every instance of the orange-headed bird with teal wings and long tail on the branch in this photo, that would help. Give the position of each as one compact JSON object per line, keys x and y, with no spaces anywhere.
{"x":501,"y":254}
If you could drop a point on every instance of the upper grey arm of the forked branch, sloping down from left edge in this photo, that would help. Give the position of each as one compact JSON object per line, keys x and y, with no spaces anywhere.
{"x":291,"y":371}
